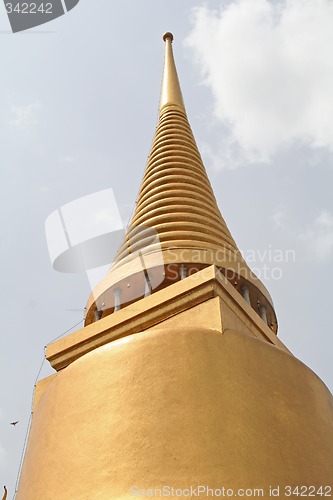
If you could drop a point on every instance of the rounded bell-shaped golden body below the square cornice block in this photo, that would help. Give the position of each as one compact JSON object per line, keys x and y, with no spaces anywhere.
{"x":179,"y":408}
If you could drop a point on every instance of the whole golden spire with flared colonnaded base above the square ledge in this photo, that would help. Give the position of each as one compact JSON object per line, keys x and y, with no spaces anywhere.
{"x":176,"y":201}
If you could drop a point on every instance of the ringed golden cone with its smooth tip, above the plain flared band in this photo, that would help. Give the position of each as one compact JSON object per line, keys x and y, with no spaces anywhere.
{"x":176,"y":197}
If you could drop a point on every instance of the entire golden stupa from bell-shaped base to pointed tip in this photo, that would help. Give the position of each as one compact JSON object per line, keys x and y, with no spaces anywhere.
{"x":178,"y":379}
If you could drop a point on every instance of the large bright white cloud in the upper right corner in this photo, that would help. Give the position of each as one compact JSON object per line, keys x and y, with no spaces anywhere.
{"x":270,"y":68}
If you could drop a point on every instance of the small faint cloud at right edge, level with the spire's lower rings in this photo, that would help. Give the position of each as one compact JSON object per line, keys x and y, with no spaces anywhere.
{"x":319,"y":237}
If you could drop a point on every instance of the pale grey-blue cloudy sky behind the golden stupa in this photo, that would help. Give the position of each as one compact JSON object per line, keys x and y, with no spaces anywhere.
{"x":78,"y":109}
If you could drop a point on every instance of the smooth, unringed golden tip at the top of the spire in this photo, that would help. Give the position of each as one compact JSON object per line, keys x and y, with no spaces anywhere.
{"x":171,"y":91}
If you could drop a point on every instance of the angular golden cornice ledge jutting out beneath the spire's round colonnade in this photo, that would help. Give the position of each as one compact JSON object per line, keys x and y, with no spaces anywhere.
{"x":146,"y":313}
